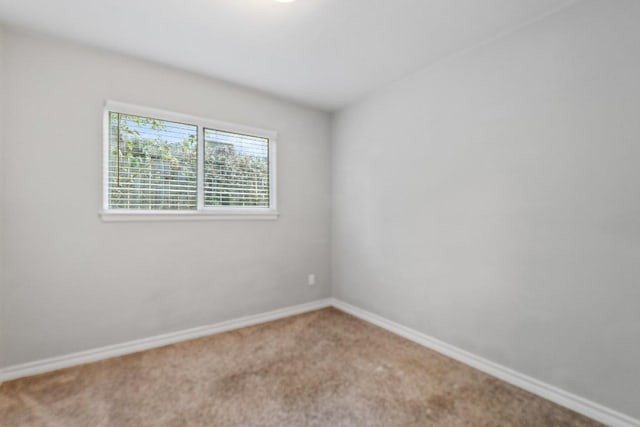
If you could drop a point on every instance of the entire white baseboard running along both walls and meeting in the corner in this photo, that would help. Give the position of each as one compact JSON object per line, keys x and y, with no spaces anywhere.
{"x":576,"y":403}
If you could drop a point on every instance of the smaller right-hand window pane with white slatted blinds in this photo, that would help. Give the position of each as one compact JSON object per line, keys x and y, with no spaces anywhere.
{"x":236,"y":170}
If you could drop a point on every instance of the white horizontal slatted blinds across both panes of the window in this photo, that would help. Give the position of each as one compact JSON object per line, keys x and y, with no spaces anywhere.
{"x":153,"y":164}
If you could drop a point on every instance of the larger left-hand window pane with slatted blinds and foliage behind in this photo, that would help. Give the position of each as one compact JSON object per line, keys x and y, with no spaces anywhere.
{"x":152,"y":163}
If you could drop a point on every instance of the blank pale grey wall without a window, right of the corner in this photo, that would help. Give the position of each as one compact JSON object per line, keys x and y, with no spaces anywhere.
{"x":493,"y":201}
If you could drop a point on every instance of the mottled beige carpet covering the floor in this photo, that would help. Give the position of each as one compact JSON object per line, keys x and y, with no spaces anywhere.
{"x":324,"y":368}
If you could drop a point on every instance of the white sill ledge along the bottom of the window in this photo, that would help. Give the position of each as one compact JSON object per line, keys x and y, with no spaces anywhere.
{"x":217,"y":215}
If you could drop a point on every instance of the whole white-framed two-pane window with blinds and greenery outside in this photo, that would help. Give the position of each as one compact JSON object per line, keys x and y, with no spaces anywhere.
{"x":162,"y":165}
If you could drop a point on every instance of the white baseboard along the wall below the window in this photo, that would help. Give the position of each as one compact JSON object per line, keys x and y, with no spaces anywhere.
{"x":54,"y":363}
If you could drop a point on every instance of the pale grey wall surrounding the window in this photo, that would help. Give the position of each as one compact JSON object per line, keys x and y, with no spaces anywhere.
{"x":73,"y":282}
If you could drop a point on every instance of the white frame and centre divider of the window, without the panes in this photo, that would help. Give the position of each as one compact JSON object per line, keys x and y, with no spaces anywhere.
{"x":202,"y":212}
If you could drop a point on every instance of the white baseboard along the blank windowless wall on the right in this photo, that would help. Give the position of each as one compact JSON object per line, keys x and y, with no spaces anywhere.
{"x":561,"y":397}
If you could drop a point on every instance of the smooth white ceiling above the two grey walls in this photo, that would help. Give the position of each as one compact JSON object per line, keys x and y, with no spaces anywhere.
{"x":322,"y":53}
